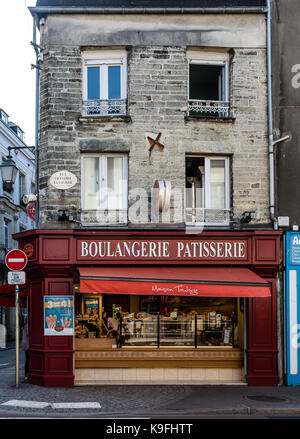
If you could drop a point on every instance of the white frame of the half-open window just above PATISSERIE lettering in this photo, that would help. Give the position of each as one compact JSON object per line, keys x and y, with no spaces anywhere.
{"x":207,"y":184}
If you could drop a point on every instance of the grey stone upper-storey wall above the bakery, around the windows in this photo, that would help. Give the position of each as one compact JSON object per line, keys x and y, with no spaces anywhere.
{"x":157,"y":102}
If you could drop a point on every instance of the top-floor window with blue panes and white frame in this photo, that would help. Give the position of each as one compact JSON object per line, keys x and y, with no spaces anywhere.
{"x":104,"y":83}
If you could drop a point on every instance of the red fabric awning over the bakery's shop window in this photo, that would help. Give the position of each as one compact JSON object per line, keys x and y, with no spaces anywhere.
{"x":176,"y":281}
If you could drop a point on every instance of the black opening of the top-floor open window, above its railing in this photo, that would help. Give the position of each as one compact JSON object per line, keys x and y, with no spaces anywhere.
{"x":204,"y":82}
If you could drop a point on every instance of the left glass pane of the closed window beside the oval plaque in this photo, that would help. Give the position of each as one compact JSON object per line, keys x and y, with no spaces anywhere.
{"x":91,"y":183}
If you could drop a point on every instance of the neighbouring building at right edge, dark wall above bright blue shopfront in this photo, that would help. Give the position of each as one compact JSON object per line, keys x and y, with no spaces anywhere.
{"x":286,"y":105}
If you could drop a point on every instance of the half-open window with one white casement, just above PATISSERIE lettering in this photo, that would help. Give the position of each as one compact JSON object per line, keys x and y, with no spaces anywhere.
{"x":207,"y":190}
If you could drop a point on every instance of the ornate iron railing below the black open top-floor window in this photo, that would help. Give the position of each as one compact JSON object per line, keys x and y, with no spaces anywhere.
{"x":204,"y":108}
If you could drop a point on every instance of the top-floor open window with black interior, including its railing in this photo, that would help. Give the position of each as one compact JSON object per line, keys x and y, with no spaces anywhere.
{"x":208,"y":84}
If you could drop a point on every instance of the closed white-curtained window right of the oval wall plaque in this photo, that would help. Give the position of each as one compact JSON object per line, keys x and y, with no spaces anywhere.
{"x":104,"y":189}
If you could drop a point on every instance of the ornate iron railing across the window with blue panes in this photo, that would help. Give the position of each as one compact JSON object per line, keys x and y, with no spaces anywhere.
{"x":103,"y":107}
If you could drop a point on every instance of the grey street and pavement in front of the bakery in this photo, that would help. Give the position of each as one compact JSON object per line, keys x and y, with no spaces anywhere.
{"x":142,"y":401}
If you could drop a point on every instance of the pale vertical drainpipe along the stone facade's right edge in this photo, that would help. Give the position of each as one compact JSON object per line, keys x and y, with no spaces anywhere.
{"x":270,"y":120}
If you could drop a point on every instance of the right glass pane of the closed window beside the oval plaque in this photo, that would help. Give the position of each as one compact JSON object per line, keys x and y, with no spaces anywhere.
{"x":115,"y":182}
